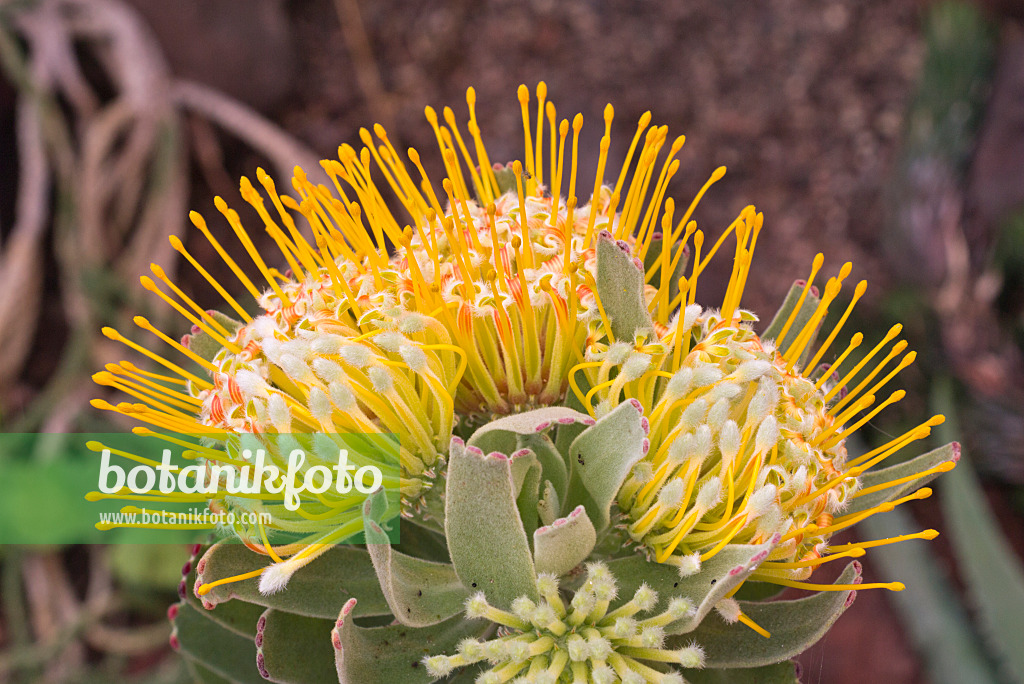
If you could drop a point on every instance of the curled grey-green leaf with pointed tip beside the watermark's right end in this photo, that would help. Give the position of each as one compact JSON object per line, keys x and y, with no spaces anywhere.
{"x":420,"y":592}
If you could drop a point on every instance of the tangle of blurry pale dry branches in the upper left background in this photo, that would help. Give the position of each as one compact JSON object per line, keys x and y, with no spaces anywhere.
{"x":103,"y":176}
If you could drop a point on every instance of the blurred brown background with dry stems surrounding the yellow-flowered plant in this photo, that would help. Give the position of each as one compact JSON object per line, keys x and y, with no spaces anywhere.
{"x":887,"y":134}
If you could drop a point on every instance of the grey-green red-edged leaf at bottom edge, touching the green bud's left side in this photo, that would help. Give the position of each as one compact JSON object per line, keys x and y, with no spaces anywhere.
{"x":394,"y":655}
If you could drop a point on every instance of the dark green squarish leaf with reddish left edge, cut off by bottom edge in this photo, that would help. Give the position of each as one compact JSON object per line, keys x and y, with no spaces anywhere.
{"x":294,"y":650}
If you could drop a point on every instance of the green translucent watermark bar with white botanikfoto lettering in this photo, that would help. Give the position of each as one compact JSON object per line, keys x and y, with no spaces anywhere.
{"x":146,"y":489}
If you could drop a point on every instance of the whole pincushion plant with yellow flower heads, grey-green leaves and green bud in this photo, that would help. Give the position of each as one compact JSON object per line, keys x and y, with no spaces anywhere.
{"x":593,"y":461}
